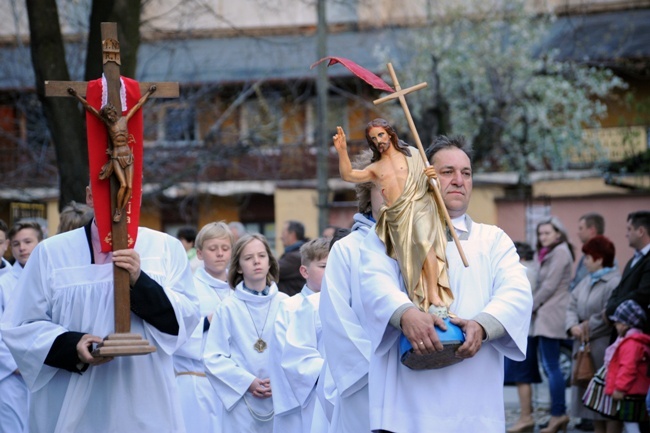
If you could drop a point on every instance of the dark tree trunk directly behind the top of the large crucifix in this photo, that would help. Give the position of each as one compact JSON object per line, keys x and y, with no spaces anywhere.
{"x":126,"y":13}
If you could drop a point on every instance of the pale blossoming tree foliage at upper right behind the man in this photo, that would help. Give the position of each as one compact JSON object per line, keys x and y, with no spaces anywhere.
{"x":521,"y":111}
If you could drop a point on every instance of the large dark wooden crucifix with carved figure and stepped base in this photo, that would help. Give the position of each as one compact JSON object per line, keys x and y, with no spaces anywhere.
{"x":125,"y":182}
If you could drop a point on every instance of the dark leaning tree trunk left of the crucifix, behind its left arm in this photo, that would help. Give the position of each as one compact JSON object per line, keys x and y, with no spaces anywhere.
{"x":62,"y":114}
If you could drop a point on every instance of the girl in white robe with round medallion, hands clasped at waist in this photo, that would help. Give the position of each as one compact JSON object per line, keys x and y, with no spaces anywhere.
{"x":236,"y":355}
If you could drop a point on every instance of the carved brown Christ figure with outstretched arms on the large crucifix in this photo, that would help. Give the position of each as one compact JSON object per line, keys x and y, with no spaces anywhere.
{"x":120,"y":154}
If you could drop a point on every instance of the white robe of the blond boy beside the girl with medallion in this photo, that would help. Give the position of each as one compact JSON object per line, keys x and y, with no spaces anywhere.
{"x":199,"y":402}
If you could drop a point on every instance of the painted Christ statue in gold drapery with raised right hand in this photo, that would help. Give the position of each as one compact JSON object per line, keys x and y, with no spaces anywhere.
{"x":409,"y":222}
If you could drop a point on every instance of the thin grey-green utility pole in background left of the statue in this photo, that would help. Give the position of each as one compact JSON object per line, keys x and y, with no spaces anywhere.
{"x":322,"y":85}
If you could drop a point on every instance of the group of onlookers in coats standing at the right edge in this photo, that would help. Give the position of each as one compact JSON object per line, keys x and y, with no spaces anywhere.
{"x":597,"y":308}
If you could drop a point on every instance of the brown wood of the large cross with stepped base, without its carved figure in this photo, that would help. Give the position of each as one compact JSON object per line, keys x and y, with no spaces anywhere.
{"x":122,"y":342}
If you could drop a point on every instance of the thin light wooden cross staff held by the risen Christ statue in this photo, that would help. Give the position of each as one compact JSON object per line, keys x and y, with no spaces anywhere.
{"x":399,"y":94}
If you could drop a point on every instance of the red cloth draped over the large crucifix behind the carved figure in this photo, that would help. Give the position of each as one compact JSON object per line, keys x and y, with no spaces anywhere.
{"x":97,"y":146}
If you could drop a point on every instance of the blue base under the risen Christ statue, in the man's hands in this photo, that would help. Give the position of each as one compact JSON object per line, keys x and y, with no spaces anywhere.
{"x":451,"y":340}
